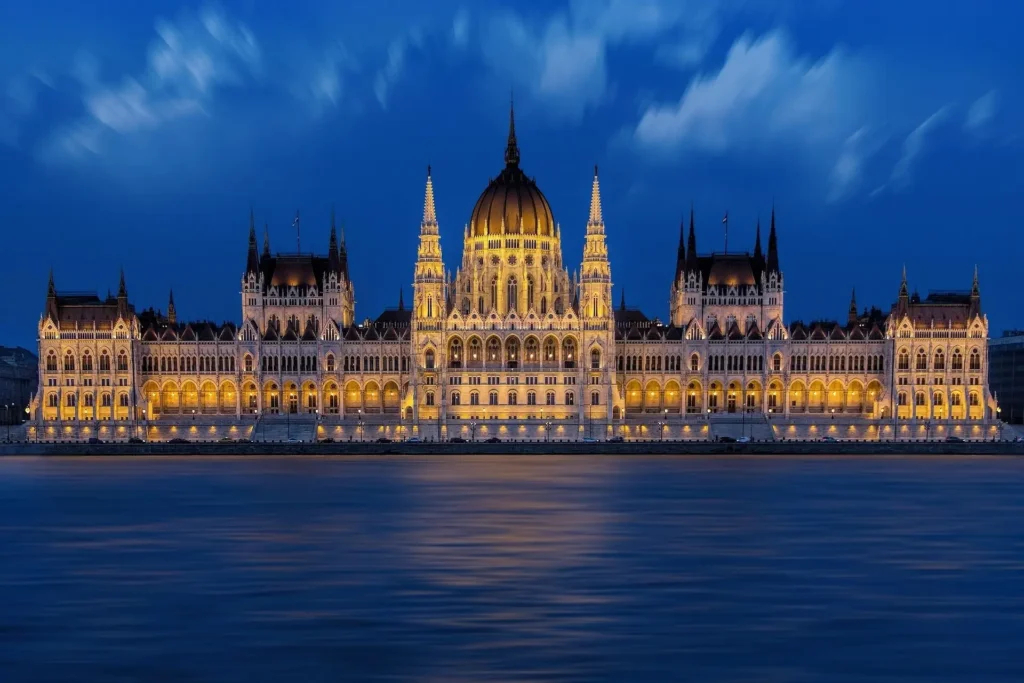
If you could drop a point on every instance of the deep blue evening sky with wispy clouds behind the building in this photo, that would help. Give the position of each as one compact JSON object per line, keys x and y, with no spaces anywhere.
{"x":140,"y":135}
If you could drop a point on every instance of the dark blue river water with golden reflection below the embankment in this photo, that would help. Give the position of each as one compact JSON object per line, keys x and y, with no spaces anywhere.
{"x":511,"y":569}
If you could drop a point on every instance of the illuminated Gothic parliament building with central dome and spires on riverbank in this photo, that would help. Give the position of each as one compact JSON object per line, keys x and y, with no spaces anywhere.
{"x":516,"y":347}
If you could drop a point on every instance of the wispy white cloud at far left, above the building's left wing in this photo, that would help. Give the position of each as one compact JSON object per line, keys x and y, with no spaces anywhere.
{"x":186,"y":66}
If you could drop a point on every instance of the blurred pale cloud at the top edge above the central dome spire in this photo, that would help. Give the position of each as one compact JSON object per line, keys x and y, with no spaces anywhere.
{"x":563,"y":61}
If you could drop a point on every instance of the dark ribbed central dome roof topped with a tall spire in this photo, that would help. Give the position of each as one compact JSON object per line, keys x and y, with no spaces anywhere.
{"x":513,"y":204}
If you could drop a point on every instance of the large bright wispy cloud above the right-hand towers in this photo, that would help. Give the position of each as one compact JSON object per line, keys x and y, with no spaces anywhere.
{"x":763,"y":94}
